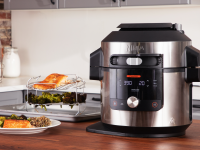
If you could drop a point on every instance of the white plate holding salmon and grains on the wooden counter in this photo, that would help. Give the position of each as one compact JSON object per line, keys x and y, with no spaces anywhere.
{"x":54,"y":123}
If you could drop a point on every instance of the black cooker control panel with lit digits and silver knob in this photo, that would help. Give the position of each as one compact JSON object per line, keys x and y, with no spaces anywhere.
{"x":136,"y":89}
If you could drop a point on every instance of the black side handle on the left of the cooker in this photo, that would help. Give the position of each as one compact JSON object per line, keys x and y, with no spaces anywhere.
{"x":96,"y":64}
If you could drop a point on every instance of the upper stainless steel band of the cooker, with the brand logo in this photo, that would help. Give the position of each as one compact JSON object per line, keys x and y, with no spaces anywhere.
{"x":173,"y":52}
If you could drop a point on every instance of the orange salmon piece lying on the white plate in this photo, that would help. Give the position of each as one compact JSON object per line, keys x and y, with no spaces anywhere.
{"x":11,"y":123}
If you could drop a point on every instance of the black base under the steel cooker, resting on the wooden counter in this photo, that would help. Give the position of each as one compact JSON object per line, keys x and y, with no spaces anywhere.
{"x":143,"y":132}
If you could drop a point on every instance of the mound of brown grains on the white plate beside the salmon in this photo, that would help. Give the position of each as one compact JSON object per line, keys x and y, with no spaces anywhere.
{"x":40,"y":121}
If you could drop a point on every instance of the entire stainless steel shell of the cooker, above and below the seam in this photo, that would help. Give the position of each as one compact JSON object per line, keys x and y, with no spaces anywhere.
{"x":176,"y":106}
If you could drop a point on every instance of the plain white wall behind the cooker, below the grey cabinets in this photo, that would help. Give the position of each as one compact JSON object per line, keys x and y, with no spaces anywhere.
{"x":61,"y":40}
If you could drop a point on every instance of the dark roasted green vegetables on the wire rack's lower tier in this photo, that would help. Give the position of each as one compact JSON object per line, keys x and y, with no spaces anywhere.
{"x":46,"y":97}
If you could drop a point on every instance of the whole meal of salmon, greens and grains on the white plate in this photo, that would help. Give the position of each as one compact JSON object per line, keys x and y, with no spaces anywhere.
{"x":23,"y":122}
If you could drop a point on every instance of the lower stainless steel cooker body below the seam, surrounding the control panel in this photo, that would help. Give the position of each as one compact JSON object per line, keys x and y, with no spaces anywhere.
{"x":176,"y":105}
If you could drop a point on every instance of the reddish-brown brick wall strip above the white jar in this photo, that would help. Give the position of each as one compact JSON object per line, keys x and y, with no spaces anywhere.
{"x":5,"y":27}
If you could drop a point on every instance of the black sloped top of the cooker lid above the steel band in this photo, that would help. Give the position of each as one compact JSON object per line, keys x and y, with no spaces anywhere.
{"x":146,"y":32}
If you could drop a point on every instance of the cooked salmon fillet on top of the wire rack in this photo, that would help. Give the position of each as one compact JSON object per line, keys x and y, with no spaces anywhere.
{"x":58,"y":79}
